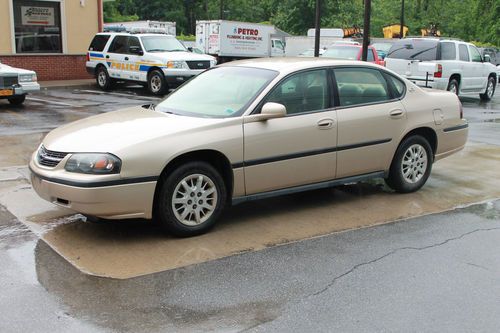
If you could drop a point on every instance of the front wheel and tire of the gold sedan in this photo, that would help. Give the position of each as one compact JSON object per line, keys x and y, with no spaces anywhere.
{"x":177,"y":212}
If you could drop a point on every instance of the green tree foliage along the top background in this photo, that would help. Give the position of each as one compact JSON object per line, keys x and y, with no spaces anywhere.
{"x":466,"y":19}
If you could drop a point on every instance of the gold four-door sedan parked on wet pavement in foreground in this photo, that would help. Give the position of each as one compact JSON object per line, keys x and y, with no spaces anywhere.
{"x":249,"y":130}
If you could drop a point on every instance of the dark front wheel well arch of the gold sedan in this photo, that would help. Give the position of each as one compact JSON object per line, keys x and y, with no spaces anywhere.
{"x":215,"y":158}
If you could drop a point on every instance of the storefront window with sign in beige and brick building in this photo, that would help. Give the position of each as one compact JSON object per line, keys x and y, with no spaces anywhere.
{"x":37,"y":26}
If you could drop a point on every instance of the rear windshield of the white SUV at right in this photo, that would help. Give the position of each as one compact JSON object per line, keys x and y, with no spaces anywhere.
{"x":414,"y":49}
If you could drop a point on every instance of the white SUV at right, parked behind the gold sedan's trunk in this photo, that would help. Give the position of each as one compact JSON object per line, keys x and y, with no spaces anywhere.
{"x":444,"y":64}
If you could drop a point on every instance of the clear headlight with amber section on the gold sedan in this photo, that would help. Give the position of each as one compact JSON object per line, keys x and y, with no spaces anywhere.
{"x":93,"y":163}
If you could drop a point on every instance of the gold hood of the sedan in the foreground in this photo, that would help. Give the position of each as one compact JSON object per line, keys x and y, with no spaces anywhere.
{"x":113,"y":131}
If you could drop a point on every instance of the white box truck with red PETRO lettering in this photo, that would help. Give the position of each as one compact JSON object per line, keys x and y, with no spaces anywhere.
{"x":231,"y":40}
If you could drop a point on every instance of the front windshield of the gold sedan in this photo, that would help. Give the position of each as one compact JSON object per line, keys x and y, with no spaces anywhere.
{"x":218,"y":93}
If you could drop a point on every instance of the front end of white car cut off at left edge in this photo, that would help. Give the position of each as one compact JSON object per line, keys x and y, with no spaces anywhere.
{"x":16,"y":83}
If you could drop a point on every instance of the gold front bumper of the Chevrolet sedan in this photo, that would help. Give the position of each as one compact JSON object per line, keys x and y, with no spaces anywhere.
{"x":130,"y":200}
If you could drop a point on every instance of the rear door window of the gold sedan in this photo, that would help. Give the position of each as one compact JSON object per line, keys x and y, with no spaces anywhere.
{"x":360,"y":86}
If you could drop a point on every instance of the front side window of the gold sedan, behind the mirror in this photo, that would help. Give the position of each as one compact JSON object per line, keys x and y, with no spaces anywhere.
{"x":302,"y":92}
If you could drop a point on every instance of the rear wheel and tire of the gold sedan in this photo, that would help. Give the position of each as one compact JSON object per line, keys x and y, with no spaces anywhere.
{"x":403,"y":179}
